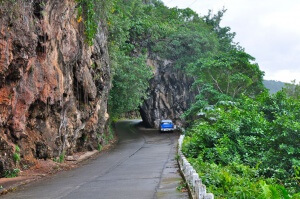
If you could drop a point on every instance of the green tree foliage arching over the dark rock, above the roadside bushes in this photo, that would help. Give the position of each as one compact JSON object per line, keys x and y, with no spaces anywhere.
{"x":141,"y":30}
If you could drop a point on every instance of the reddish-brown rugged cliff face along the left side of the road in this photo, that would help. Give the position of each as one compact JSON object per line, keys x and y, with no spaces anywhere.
{"x":53,"y":86}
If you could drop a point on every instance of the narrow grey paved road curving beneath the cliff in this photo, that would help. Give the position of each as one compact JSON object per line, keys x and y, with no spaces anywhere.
{"x":141,"y":166}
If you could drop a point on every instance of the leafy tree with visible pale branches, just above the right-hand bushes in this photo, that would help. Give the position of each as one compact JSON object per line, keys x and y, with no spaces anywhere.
{"x":230,"y":73}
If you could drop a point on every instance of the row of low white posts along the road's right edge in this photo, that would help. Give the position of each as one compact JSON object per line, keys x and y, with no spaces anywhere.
{"x":197,"y":189}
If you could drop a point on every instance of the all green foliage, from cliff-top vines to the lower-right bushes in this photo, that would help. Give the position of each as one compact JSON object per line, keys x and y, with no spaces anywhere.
{"x":246,"y":143}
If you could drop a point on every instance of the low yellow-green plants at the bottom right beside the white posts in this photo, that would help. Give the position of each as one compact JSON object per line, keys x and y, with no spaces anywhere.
{"x":238,"y":181}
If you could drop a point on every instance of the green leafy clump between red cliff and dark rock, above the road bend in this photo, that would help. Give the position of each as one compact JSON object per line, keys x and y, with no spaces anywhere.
{"x":130,"y":84}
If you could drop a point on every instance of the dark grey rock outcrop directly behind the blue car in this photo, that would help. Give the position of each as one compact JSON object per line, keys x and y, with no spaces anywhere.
{"x":170,"y":94}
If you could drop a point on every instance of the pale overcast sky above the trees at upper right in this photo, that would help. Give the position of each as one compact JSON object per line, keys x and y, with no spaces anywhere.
{"x":269,"y":30}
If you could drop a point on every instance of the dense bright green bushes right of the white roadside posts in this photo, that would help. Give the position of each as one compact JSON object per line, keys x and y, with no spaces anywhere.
{"x":261,"y":134}
